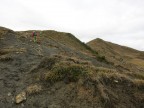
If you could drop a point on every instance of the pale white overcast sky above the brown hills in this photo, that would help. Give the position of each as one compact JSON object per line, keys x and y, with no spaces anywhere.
{"x":118,"y":21}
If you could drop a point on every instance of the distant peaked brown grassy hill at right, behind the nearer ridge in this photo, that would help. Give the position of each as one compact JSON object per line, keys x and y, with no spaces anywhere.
{"x":118,"y":54}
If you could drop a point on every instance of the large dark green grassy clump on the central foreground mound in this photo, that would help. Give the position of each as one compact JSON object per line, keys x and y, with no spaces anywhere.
{"x":67,"y":73}
